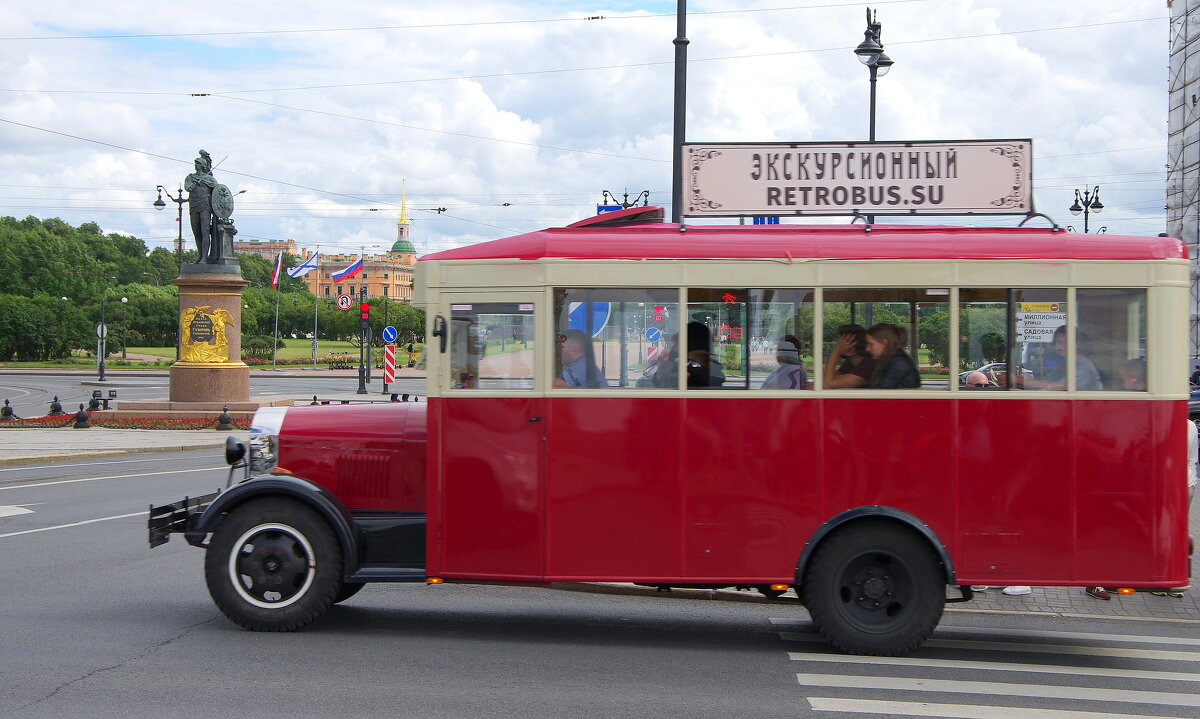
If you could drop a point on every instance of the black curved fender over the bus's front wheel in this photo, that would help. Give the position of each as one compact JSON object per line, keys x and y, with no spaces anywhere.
{"x":295,"y":488}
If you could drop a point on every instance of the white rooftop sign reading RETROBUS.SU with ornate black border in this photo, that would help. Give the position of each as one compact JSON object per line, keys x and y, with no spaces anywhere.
{"x":917,"y":178}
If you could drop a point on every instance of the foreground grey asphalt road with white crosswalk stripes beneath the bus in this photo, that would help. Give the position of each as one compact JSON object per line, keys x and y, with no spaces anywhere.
{"x":97,"y":625}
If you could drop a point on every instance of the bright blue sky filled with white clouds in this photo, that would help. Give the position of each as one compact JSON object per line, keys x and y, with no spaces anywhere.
{"x":517,"y":116}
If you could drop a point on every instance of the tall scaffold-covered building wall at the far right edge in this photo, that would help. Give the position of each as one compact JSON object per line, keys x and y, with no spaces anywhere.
{"x":1184,"y":145}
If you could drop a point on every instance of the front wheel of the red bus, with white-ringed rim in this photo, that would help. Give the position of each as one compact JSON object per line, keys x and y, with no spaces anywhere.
{"x":274,"y":566}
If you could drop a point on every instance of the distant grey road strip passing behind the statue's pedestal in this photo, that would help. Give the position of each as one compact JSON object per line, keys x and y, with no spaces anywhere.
{"x":31,"y":396}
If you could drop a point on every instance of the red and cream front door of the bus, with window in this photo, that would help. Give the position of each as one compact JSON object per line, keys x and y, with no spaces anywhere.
{"x":488,"y":463}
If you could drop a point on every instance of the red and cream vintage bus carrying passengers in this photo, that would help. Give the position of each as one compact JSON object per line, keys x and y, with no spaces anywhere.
{"x":605,"y":405}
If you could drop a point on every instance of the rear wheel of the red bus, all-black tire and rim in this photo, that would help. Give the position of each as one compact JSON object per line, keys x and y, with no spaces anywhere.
{"x":875,"y":589}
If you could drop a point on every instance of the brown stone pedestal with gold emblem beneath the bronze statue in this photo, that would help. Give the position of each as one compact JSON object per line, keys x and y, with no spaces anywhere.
{"x":211,"y":368}
